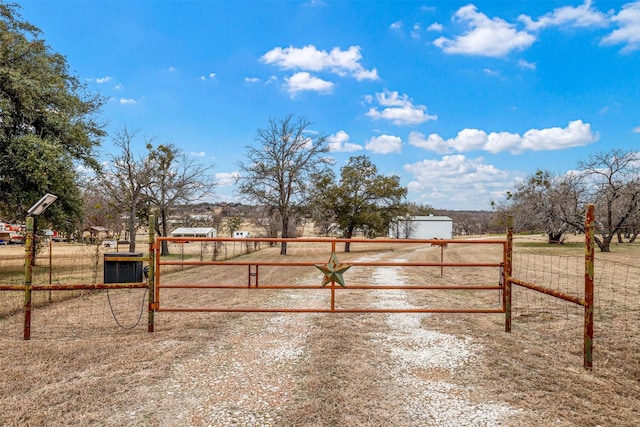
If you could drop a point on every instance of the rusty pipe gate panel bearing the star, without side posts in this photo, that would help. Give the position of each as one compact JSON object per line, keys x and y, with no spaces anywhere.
{"x":253,"y":278}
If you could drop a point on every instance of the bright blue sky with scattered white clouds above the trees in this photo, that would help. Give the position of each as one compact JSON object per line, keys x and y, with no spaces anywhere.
{"x":460,"y":99}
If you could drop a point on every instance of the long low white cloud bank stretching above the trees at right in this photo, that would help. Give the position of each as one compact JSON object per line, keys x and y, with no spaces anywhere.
{"x":576,"y":134}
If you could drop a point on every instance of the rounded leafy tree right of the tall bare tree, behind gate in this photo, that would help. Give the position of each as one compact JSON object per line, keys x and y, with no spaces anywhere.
{"x":362,"y":199}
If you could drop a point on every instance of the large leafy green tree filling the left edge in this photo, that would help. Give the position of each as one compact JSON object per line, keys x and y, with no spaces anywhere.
{"x":47,"y":125}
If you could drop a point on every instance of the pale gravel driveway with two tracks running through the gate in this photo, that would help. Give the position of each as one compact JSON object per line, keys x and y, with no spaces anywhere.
{"x":257,"y":374}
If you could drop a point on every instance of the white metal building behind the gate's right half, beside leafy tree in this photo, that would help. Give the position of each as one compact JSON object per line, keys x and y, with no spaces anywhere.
{"x":422,"y":227}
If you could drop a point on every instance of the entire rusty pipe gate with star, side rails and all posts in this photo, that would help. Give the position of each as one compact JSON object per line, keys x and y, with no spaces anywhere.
{"x":332,"y":275}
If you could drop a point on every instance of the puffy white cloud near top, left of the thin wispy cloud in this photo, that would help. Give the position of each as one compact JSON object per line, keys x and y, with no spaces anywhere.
{"x":485,"y":37}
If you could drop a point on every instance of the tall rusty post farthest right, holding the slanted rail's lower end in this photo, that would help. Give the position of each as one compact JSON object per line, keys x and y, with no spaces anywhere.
{"x":588,"y":288}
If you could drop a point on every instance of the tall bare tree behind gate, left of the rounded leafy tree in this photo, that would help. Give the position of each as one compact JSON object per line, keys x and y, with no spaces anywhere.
{"x":277,"y":173}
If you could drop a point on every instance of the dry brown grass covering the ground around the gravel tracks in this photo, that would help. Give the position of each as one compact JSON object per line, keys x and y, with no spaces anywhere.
{"x":80,"y":370}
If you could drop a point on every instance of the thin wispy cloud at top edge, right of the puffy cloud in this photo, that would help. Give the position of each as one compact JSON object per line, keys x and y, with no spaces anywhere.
{"x":580,"y":16}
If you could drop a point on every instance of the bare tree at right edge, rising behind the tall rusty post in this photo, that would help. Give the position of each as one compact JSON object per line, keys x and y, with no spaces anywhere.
{"x":615,"y":190}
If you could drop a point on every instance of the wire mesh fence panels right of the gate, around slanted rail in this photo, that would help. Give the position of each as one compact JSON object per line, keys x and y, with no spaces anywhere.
{"x":558,"y":325}
